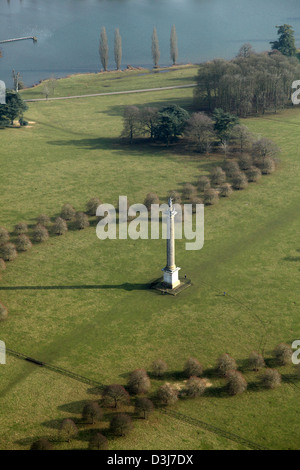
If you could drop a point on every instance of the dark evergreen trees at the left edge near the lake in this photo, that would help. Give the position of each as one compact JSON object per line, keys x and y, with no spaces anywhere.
{"x":13,"y":109}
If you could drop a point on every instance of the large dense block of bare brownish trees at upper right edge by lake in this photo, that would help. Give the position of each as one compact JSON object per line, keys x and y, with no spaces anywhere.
{"x":250,"y":83}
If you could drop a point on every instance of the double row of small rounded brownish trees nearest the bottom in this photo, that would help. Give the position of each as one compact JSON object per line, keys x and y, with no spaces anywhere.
{"x":117,"y":396}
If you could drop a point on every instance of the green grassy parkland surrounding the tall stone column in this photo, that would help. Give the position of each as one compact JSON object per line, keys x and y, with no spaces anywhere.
{"x":251,"y":251}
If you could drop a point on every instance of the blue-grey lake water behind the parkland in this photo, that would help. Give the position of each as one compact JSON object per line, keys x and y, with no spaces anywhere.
{"x":68,"y":31}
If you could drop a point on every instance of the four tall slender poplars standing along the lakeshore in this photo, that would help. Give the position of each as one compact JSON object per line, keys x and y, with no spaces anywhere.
{"x":155,"y":51}
